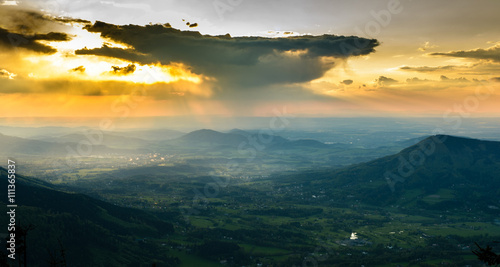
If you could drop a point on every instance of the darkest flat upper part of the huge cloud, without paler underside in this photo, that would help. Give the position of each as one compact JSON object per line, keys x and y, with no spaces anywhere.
{"x":156,"y":38}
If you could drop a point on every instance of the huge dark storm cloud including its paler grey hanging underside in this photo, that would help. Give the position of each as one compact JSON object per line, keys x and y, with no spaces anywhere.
{"x":246,"y":61}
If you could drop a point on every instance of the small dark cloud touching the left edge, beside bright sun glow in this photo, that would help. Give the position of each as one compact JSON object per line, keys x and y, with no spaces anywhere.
{"x":11,"y":40}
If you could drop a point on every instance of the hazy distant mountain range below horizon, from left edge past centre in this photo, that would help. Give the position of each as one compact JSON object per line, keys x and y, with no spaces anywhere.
{"x":128,"y":142}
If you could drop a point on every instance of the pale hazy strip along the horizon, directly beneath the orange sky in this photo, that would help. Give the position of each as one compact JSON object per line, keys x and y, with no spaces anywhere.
{"x":450,"y":125}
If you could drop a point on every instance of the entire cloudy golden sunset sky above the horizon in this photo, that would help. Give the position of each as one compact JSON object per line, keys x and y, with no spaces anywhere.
{"x":381,"y":58}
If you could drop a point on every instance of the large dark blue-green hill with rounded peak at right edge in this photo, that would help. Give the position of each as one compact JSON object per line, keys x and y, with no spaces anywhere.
{"x":438,"y":172}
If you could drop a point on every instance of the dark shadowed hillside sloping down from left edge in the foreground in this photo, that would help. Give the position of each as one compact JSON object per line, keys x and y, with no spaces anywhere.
{"x":91,"y":232}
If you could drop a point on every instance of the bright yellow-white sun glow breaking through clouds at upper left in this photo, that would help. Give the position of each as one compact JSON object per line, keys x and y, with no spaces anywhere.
{"x":65,"y":64}
